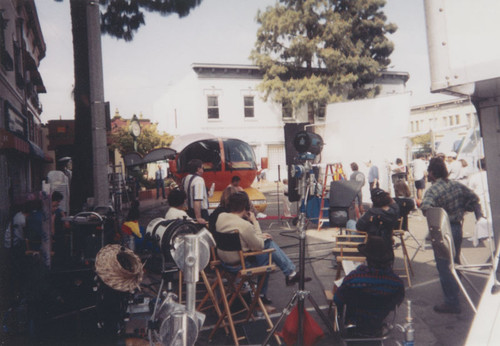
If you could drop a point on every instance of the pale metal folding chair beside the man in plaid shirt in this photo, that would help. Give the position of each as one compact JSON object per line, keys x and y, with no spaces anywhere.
{"x":443,"y":245}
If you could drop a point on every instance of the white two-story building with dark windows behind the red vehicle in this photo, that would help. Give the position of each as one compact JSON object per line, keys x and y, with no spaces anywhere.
{"x":223,"y":100}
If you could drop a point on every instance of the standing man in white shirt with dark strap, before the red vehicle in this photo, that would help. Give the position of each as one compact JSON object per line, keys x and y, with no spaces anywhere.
{"x":196,"y":191}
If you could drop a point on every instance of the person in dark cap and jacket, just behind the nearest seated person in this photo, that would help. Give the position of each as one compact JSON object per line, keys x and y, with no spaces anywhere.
{"x":381,"y":218}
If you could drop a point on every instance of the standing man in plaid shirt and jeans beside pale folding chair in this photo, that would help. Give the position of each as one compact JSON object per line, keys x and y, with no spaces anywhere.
{"x":455,"y":198}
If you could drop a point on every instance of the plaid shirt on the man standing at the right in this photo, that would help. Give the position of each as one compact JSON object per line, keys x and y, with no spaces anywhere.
{"x":452,"y":196}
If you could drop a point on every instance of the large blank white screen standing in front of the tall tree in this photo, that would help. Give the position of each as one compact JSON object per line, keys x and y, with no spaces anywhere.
{"x":365,"y":130}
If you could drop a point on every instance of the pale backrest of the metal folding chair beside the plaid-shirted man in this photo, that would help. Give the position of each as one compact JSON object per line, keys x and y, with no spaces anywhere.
{"x":440,"y":229}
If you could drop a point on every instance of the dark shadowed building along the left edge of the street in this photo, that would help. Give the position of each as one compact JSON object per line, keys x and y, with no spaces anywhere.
{"x":21,"y":48}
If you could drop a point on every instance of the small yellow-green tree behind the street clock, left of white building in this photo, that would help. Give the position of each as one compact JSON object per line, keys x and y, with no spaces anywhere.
{"x":149,"y":139}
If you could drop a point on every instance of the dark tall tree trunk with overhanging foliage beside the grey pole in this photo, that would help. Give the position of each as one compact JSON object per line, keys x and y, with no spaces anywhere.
{"x":119,"y":18}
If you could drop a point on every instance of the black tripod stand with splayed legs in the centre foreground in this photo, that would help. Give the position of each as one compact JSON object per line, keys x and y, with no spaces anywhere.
{"x":301,"y":294}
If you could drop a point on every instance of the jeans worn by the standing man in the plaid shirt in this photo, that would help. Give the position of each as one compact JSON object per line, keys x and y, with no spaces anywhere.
{"x":448,"y":282}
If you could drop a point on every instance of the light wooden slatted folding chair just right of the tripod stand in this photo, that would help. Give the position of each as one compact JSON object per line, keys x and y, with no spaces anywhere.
{"x":346,"y":249}
